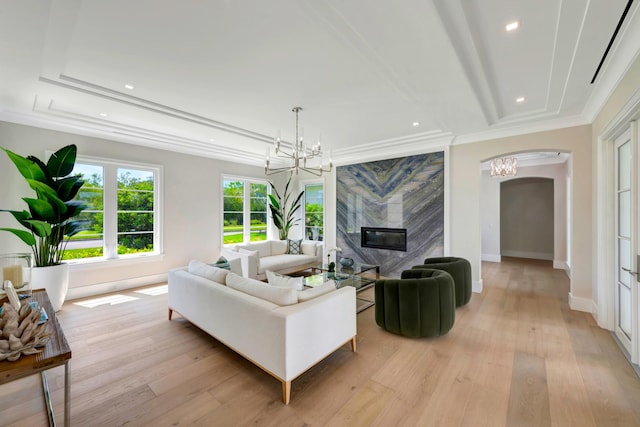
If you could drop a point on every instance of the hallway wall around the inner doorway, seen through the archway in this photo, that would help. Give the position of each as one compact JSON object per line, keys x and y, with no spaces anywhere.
{"x":490,"y":210}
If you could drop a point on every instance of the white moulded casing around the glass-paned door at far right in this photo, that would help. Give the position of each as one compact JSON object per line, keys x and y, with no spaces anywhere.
{"x":604,"y":262}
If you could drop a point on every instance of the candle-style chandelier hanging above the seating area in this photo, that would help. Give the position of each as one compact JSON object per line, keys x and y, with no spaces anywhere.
{"x":300,"y":156}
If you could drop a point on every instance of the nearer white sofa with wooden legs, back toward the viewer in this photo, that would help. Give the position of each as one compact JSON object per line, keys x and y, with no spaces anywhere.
{"x":283,"y":340}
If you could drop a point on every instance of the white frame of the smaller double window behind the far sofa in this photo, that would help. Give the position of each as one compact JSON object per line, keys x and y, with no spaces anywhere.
{"x":246,"y":208}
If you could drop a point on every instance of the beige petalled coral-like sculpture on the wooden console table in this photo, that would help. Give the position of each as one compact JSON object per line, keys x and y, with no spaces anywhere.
{"x":20,"y":333}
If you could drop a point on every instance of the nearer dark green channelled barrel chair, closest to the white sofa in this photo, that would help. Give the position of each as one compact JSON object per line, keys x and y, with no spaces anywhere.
{"x":419,"y":304}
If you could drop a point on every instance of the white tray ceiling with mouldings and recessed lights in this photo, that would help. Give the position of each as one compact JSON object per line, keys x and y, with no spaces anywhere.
{"x":363,"y":70}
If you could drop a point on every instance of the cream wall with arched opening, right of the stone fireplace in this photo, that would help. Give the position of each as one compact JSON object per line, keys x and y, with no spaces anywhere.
{"x":466,"y":194}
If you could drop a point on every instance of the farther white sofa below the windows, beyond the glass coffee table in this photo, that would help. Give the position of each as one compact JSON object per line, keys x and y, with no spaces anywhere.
{"x":258,"y":257}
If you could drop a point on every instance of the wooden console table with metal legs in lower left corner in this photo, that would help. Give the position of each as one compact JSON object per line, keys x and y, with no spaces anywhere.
{"x":55,"y":353}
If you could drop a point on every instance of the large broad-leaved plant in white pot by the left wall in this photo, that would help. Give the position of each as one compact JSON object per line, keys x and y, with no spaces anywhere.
{"x":49,"y":221}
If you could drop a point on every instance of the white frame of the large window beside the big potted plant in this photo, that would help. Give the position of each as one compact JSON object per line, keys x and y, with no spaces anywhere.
{"x":110,"y":209}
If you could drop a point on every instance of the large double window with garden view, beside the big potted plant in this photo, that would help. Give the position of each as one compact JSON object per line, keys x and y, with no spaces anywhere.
{"x":122,"y":217}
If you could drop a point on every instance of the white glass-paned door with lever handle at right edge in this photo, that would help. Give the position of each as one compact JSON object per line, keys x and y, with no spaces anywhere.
{"x":626,"y":243}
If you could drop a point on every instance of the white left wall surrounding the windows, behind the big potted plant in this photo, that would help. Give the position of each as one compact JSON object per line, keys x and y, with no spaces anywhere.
{"x":191,"y":204}
